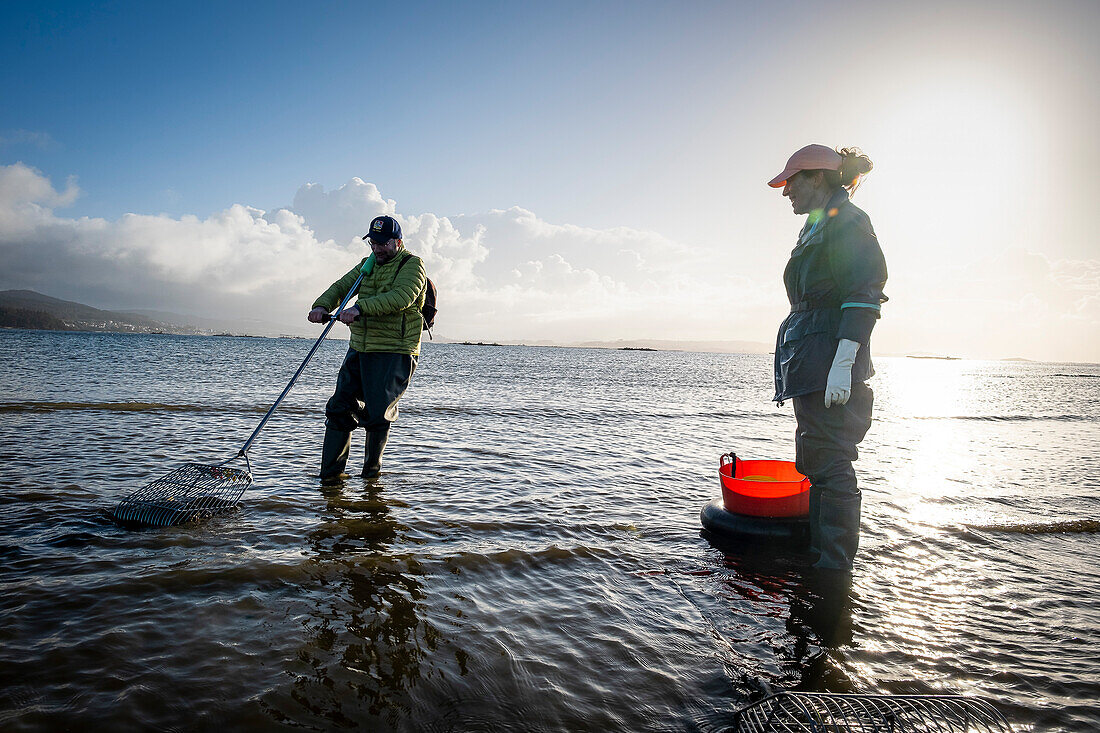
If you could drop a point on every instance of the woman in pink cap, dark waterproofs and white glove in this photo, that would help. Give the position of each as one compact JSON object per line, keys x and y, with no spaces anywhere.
{"x":823,"y":354}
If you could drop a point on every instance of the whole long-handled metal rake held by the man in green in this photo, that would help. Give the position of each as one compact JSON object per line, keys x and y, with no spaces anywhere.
{"x":199,"y":491}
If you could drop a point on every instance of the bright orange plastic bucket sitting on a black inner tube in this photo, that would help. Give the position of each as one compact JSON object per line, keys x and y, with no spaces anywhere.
{"x":763,"y":488}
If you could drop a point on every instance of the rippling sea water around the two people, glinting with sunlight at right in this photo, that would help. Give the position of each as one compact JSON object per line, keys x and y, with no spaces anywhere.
{"x":532,"y":557}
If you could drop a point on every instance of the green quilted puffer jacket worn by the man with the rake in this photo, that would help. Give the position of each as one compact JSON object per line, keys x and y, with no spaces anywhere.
{"x":390,"y":301}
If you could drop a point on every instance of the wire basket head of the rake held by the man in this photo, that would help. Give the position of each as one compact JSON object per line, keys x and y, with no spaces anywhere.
{"x":192,"y":493}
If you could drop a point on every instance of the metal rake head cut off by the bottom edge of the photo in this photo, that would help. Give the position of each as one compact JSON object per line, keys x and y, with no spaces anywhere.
{"x":818,"y":713}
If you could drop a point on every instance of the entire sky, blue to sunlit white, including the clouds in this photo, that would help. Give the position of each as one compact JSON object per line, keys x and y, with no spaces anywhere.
{"x":569,"y":171}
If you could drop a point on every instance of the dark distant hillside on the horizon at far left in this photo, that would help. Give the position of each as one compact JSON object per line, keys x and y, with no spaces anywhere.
{"x":30,"y":310}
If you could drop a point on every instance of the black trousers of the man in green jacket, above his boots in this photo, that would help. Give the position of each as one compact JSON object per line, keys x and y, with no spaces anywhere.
{"x":368,"y":390}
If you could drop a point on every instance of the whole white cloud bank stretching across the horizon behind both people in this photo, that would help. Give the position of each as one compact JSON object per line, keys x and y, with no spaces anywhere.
{"x":509,"y":275}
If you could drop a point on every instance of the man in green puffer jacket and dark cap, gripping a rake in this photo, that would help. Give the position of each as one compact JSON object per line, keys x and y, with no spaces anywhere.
{"x":386,"y":344}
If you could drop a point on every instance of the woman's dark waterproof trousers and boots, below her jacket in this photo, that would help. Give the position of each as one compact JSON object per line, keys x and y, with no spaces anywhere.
{"x":824,"y":450}
